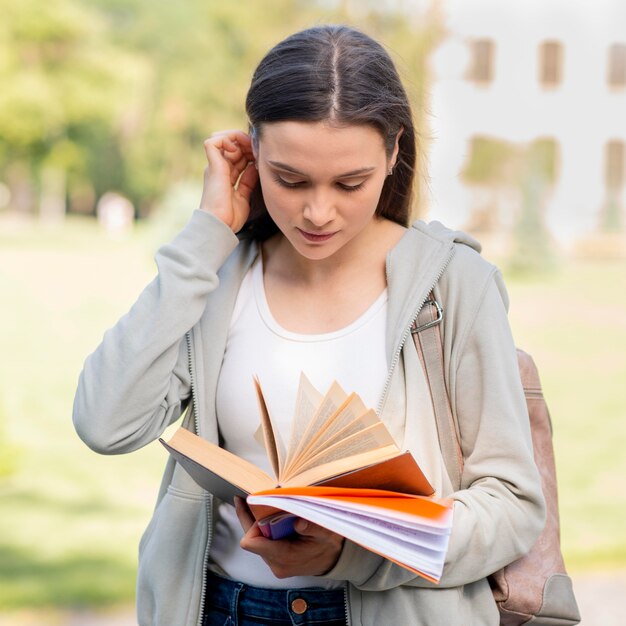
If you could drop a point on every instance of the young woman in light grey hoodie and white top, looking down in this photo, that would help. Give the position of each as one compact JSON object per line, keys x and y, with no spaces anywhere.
{"x":300,"y":259}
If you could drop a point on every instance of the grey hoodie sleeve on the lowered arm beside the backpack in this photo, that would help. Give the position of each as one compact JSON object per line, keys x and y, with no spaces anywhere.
{"x":499,"y":510}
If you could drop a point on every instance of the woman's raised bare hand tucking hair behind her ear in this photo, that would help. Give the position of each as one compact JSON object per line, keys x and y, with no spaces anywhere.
{"x":229,"y":178}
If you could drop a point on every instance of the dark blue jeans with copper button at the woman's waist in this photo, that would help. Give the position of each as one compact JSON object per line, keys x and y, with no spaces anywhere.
{"x":230,"y":603}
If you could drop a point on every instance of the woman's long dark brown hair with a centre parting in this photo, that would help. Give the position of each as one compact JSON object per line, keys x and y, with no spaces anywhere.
{"x":341,"y":75}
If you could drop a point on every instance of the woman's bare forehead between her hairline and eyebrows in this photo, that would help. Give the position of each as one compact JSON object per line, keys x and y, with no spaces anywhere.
{"x":312,"y":144}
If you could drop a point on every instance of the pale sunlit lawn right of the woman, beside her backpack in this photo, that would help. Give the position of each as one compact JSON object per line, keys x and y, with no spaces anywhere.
{"x":573,"y":321}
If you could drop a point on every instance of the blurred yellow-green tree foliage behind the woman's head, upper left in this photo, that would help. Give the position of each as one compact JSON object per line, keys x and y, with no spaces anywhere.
{"x":119,"y":94}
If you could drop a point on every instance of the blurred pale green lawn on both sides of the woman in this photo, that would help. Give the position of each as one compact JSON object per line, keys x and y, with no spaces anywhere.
{"x":71,"y":520}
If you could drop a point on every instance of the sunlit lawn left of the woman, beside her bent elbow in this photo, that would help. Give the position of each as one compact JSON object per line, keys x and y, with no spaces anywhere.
{"x":71,"y":519}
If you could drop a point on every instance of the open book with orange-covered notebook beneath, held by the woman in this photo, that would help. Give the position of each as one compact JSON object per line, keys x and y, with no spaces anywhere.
{"x":341,"y":470}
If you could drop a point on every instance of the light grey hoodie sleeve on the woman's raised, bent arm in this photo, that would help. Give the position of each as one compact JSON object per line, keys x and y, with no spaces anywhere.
{"x":136,"y":382}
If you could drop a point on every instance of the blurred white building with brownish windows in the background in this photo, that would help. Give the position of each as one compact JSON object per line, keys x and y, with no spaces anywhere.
{"x":522,"y":70}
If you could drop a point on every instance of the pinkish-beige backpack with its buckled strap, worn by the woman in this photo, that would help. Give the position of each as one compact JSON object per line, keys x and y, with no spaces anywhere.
{"x":535,"y":589}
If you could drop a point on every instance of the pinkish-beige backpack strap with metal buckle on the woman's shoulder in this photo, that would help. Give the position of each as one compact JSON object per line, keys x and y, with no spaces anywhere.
{"x":426,"y":332}
